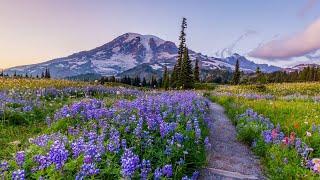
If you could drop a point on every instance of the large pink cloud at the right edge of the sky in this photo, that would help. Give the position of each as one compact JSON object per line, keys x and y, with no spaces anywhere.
{"x":297,"y":45}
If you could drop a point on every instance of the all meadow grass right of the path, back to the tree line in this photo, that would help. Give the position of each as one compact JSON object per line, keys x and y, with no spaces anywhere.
{"x":299,"y":116}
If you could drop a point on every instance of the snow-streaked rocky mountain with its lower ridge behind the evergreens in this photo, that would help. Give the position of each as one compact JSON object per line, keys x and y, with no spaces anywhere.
{"x":128,"y":52}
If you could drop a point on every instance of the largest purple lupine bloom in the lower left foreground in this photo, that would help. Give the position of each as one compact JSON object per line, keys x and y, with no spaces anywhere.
{"x":58,"y":154}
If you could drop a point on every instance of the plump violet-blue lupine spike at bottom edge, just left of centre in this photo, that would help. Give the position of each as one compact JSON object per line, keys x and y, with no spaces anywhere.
{"x":129,"y":163}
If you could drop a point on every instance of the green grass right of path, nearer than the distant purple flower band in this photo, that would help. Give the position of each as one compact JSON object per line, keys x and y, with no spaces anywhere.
{"x":293,"y":116}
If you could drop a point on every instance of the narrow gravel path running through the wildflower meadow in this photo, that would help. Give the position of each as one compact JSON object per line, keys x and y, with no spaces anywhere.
{"x":228,"y":158}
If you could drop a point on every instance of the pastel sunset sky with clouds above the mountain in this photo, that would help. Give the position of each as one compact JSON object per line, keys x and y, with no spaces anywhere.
{"x":276,"y":32}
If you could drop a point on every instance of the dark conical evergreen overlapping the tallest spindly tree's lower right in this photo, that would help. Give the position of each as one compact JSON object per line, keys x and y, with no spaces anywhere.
{"x":186,"y":73}
